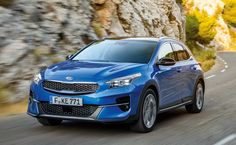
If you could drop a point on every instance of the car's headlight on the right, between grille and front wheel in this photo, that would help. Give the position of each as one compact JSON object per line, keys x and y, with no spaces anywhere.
{"x":123,"y":81}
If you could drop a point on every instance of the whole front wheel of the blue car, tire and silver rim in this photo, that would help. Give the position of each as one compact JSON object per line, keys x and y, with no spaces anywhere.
{"x":147,"y":113}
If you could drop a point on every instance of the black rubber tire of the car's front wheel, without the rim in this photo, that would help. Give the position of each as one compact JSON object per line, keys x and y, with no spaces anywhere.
{"x":139,"y":125}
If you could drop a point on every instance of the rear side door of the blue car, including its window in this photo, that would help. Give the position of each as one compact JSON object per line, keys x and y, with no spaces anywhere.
{"x":183,"y":65}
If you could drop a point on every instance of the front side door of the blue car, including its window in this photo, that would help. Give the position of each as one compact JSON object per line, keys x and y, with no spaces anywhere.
{"x":167,"y":77}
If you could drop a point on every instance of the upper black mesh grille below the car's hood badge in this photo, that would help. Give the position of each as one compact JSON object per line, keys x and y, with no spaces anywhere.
{"x":70,"y":88}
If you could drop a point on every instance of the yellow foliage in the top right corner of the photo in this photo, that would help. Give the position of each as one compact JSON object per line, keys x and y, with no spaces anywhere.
{"x":229,"y":12}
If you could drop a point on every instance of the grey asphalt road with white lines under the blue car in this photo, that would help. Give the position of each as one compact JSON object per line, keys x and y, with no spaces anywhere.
{"x":216,"y":125}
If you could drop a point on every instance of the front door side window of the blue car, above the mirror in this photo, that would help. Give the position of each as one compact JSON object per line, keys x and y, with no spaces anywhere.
{"x":166,"y":51}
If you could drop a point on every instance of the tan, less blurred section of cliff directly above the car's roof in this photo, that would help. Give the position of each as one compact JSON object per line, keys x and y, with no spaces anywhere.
{"x":138,"y":18}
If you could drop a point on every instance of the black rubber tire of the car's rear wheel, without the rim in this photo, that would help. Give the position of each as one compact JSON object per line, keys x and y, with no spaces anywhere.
{"x":193,"y":107}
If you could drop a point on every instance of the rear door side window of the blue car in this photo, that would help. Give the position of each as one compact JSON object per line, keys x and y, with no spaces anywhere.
{"x":181,"y":52}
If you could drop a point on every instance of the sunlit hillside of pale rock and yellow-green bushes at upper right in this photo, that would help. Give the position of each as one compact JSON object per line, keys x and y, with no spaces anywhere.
{"x":211,"y":22}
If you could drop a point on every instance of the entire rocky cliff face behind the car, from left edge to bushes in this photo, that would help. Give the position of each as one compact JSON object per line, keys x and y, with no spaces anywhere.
{"x":39,"y":32}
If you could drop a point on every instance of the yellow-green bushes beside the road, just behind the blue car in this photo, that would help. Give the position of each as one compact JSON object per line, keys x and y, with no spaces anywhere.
{"x":200,"y":27}
